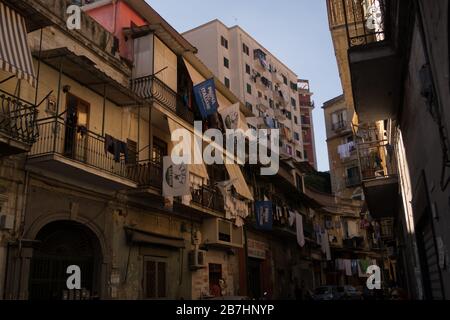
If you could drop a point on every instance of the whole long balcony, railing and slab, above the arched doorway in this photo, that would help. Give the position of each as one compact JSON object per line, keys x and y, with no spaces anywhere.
{"x":77,"y":154}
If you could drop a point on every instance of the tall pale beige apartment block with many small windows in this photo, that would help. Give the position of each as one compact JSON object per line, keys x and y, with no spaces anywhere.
{"x":266,"y":85}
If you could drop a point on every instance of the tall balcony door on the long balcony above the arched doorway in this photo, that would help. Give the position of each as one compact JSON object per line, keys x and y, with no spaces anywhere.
{"x":76,"y":132}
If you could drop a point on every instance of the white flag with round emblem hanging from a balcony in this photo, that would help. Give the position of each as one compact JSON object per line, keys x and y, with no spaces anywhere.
{"x":175,"y":179}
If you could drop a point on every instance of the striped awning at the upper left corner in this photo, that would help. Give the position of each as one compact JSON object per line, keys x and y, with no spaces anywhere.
{"x":15,"y":54}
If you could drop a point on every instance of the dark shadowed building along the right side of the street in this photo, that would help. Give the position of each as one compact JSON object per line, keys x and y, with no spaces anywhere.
{"x":406,"y":91}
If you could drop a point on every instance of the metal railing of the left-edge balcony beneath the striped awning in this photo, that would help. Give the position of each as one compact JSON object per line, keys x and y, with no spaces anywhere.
{"x":18,"y":118}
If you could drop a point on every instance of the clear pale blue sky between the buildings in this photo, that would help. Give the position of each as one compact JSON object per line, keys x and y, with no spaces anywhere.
{"x":295,"y":31}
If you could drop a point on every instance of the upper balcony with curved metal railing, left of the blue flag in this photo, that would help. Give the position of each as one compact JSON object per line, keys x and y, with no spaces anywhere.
{"x":153,"y":89}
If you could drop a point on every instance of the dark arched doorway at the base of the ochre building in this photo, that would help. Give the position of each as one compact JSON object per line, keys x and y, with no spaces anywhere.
{"x":62,"y":244}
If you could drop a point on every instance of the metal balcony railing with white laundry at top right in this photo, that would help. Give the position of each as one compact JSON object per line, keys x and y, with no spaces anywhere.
{"x":365,"y":21}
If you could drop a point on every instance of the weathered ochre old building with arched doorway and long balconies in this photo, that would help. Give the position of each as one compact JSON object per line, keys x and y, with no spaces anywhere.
{"x":69,"y":200}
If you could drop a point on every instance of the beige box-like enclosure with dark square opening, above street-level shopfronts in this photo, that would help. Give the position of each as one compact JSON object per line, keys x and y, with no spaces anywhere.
{"x":222,"y":232}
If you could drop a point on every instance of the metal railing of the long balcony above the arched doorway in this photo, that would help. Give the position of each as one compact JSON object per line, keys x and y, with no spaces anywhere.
{"x":86,"y":147}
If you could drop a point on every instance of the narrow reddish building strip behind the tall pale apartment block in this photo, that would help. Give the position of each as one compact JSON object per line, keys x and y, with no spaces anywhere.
{"x":307,"y":121}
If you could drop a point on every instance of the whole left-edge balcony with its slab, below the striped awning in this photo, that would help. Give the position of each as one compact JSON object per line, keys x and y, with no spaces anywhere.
{"x":18,"y":130}
